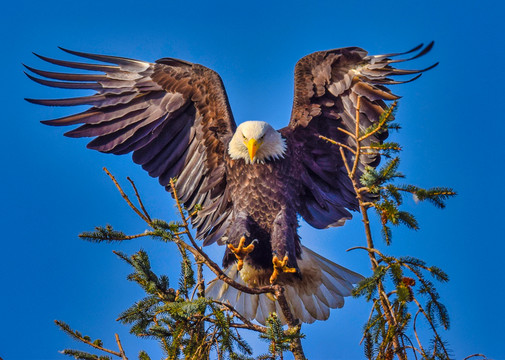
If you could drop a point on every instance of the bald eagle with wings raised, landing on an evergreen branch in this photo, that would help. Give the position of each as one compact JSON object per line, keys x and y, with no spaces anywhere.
{"x":251,"y":181}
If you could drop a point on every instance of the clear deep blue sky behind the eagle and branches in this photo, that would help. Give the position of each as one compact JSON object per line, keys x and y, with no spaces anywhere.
{"x":53,"y":188}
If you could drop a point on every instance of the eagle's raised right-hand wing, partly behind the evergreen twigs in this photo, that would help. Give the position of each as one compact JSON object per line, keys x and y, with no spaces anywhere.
{"x":327,"y":87}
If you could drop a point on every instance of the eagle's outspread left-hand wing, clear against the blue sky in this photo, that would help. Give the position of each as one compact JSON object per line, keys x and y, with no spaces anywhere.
{"x":172,"y":115}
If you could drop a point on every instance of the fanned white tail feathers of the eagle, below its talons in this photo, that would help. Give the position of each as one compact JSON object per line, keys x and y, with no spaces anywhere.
{"x":323,"y":286}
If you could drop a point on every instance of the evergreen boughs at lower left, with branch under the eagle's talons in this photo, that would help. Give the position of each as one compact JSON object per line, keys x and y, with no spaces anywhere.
{"x":185,"y":323}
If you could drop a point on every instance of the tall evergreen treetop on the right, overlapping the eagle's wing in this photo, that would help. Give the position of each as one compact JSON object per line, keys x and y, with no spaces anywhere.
{"x":392,"y":327}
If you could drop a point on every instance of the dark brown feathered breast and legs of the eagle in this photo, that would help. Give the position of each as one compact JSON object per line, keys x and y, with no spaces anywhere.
{"x":265,"y":208}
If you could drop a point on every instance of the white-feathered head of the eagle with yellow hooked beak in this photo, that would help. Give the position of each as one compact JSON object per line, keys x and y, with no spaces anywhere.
{"x":256,"y":141}
